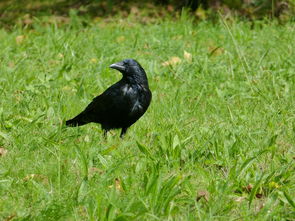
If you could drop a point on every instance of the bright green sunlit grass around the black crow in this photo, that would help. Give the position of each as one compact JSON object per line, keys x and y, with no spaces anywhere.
{"x":217,"y":142}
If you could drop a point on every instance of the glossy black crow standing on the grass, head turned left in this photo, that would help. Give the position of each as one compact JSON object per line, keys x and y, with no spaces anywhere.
{"x":122,"y":104}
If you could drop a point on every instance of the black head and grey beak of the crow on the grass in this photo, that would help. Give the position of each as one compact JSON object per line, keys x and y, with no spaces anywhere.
{"x":130,"y":69}
